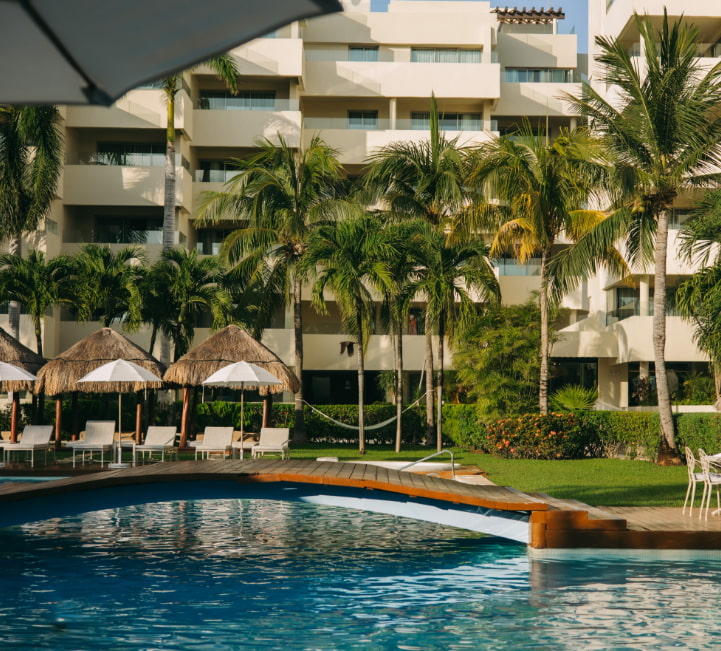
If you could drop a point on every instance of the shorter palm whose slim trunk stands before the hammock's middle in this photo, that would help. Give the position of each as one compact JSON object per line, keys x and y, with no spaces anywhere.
{"x":351,"y":258}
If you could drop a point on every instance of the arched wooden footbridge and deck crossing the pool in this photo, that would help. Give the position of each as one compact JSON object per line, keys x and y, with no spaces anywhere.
{"x":553,"y":523}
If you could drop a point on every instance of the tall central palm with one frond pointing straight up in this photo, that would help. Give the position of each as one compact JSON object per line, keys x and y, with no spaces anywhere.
{"x":422,"y":180}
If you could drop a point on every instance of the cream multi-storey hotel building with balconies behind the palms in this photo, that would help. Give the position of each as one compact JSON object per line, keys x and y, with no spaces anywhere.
{"x":361,"y":79}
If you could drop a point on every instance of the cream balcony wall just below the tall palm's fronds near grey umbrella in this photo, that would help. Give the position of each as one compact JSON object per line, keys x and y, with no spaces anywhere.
{"x":243,"y":128}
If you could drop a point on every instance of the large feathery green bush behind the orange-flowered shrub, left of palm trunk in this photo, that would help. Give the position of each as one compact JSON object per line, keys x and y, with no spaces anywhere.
{"x":497,"y":360}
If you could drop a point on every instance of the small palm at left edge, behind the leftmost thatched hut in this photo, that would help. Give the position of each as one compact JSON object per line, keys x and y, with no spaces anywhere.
{"x":37,"y":283}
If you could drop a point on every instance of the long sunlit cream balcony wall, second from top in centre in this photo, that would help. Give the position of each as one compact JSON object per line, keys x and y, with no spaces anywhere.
{"x":401,"y":79}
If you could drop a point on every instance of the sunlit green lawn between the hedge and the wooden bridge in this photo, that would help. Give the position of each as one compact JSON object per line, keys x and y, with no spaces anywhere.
{"x":599,"y":482}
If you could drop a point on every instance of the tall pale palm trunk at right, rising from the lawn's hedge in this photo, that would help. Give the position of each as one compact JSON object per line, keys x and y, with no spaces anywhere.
{"x":659,"y":333}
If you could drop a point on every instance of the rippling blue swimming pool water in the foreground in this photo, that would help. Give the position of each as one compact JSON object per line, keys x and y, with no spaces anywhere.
{"x":256,"y":574}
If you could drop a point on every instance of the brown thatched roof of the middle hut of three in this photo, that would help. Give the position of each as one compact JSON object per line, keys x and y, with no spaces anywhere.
{"x":61,"y":374}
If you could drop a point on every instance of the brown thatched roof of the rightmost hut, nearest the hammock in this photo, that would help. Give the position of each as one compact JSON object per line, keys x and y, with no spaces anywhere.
{"x":231,"y":344}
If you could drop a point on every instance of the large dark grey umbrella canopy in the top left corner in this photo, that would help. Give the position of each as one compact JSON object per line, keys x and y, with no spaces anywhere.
{"x":90,"y":52}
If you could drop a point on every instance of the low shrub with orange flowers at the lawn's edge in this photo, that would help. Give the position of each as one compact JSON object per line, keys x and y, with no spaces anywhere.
{"x":555,"y":436}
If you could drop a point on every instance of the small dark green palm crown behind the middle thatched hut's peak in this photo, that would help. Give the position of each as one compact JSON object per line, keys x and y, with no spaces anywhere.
{"x":106,"y":285}
